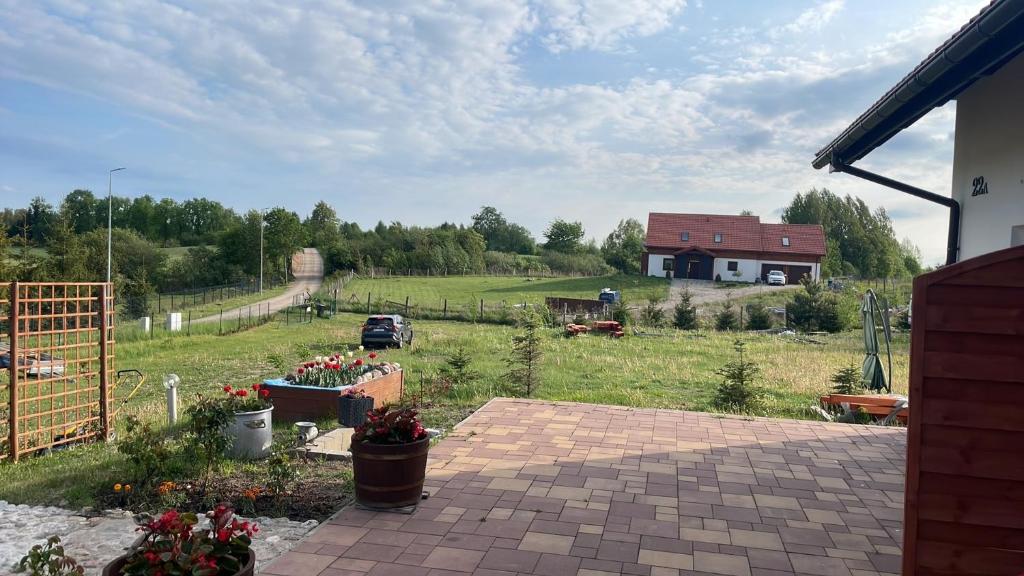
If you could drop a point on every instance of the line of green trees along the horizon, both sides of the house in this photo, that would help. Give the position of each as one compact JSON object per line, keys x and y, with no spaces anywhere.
{"x":69,"y":242}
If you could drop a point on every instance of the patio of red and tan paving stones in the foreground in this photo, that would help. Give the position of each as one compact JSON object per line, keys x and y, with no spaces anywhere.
{"x":558,"y":489}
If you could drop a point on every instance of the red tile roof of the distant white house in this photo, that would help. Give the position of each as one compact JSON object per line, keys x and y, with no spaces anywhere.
{"x":739,"y":233}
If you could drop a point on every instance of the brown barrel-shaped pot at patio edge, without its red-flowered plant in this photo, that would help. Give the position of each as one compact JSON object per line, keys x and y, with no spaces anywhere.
{"x":390,"y":476}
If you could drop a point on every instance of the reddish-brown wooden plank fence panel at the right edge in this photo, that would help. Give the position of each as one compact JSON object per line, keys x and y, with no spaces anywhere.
{"x":965,"y":484}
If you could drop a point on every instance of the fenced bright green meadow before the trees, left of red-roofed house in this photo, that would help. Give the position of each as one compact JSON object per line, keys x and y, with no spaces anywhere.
{"x":431,"y":293}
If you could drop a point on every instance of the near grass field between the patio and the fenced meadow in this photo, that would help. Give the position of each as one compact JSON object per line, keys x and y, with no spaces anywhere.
{"x":675,"y":371}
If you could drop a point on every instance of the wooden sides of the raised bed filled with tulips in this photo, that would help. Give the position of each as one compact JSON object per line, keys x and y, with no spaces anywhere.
{"x":296,"y":403}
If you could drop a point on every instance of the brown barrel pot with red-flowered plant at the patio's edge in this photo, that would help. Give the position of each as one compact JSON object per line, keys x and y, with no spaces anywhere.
{"x":390,"y":459}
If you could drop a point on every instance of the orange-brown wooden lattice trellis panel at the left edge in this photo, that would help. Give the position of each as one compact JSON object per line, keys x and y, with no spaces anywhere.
{"x":57,"y":351}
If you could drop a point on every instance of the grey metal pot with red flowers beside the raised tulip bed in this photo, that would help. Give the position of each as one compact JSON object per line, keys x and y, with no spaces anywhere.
{"x":251,"y":431}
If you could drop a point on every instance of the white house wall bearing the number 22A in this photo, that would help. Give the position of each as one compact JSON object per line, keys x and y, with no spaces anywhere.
{"x":990,"y":145}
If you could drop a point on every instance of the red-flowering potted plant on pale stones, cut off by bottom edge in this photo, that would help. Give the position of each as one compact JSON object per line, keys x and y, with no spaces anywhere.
{"x":172,"y":545}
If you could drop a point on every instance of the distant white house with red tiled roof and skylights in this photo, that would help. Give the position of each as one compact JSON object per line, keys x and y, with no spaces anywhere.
{"x":734,"y":249}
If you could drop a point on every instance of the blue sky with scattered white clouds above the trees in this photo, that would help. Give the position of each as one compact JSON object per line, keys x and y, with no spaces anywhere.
{"x":423,"y":111}
